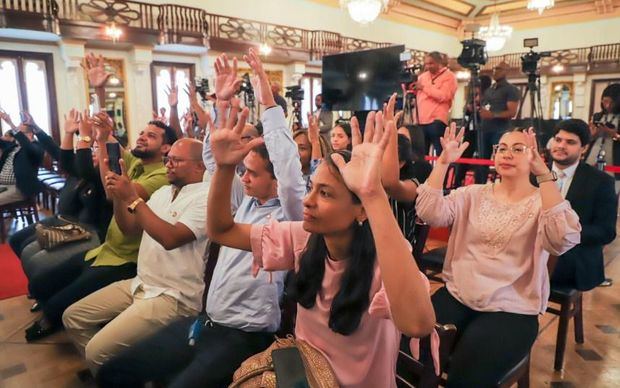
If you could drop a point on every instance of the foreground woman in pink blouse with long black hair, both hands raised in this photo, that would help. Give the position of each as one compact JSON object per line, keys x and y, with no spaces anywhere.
{"x":357,"y":285}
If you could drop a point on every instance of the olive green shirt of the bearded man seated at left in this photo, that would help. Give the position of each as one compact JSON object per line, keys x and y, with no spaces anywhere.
{"x":119,"y":248}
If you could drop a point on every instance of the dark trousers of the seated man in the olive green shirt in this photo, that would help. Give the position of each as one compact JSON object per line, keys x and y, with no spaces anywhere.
{"x":71,"y":281}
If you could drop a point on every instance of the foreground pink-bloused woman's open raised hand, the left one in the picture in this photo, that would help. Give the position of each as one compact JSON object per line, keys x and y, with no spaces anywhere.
{"x":226,"y":144}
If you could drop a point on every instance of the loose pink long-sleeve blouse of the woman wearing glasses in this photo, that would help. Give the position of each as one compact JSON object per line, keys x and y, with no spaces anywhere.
{"x":497,"y":252}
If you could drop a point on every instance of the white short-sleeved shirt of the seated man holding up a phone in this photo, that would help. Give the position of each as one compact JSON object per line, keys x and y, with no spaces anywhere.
{"x":178,"y":272}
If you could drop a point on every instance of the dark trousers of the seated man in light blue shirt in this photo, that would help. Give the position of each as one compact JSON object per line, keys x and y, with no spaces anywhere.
{"x":167,"y":355}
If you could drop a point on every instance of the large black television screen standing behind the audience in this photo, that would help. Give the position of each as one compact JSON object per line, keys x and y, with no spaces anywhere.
{"x":361,"y":80}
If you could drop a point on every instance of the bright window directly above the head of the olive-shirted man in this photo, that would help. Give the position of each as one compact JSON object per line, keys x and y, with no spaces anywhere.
{"x":161,"y":79}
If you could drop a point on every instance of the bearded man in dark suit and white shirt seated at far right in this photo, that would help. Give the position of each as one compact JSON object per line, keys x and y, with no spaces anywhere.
{"x":592,"y":195}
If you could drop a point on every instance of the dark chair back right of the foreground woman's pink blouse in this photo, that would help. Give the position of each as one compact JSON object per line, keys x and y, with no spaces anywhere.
{"x":421,"y":373}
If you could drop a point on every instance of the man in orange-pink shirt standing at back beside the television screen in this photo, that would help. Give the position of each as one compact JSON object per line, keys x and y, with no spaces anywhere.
{"x":435,"y":88}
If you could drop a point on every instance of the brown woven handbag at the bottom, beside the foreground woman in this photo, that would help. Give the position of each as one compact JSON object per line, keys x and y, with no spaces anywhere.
{"x":258,"y":371}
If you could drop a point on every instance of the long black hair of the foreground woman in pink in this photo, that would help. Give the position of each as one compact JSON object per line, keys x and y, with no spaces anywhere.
{"x":353,"y":296}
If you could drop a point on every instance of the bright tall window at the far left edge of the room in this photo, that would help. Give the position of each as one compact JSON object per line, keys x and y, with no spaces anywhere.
{"x":27,"y":84}
